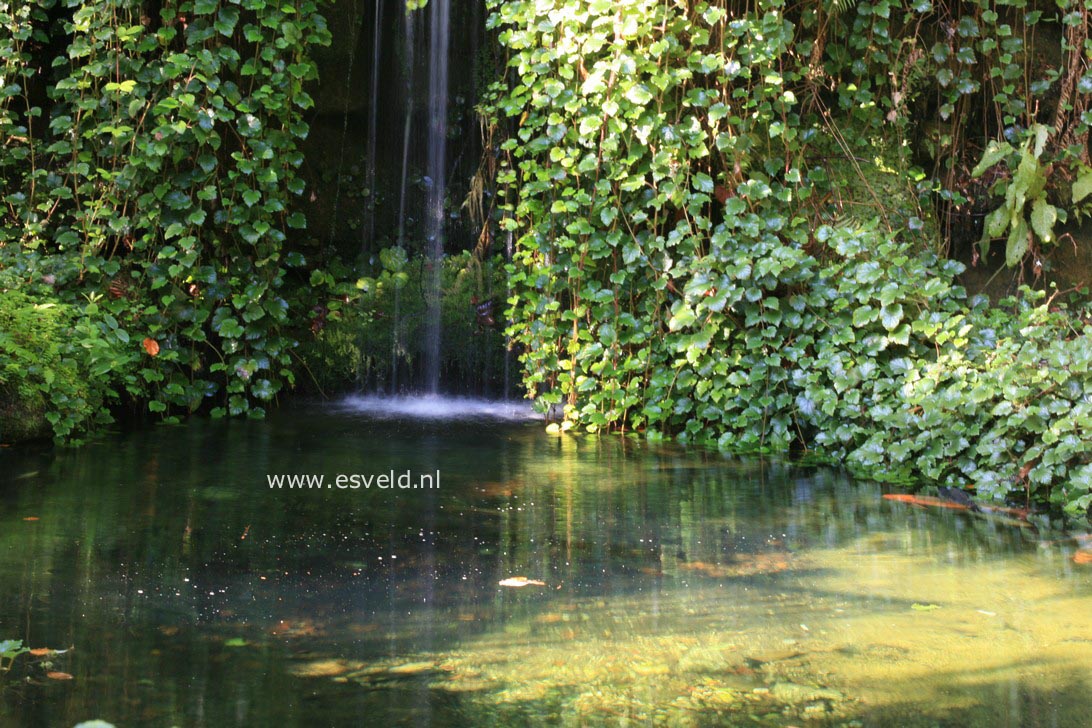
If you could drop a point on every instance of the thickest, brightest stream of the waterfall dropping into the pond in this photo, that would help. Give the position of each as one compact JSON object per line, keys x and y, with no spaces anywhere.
{"x":440,"y":34}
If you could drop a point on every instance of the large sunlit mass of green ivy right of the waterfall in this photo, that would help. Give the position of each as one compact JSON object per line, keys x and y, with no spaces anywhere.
{"x":687,"y":266}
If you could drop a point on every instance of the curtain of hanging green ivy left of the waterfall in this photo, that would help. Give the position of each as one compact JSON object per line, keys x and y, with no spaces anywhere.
{"x":157,"y":172}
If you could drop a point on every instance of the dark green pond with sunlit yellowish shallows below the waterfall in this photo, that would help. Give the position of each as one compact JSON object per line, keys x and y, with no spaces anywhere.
{"x":563,"y":580}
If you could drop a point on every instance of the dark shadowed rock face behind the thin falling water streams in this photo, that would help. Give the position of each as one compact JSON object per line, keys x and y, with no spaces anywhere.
{"x":347,"y":212}
